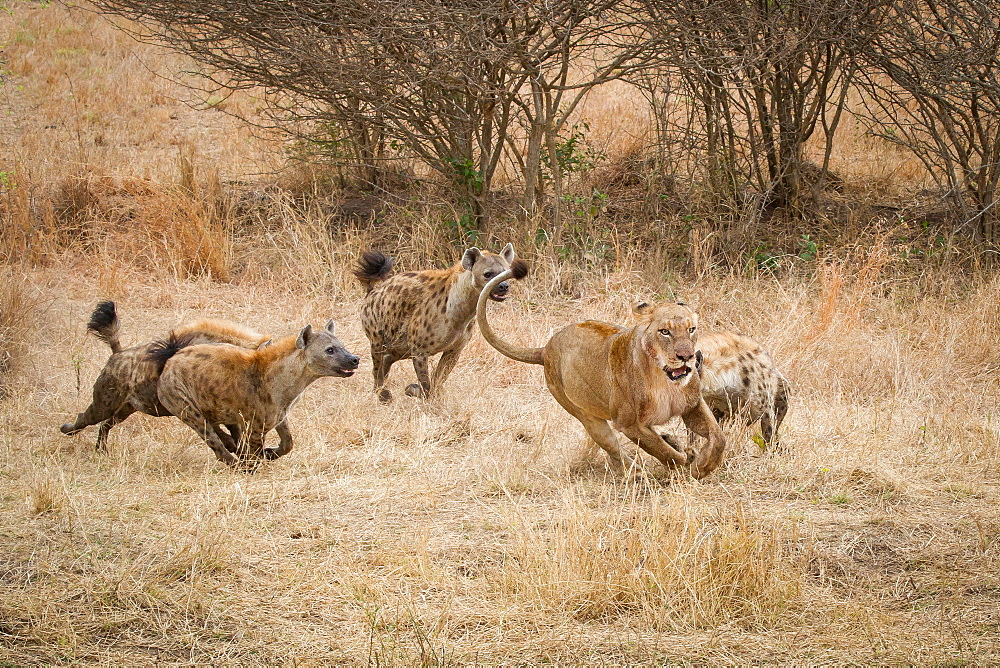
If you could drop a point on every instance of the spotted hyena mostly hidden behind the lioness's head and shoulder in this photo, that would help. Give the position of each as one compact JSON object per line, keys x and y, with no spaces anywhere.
{"x":738,"y":377}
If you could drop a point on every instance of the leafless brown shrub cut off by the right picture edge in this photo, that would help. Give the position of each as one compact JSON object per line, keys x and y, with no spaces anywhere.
{"x":933,"y":86}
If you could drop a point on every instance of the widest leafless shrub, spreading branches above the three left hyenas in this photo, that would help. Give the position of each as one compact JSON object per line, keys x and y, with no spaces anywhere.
{"x":377,"y":82}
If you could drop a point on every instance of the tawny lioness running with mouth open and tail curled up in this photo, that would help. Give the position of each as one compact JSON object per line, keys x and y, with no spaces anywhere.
{"x":636,"y":378}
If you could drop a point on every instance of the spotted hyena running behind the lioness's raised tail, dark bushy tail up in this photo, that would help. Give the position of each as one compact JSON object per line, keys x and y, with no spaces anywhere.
{"x":417,"y":314}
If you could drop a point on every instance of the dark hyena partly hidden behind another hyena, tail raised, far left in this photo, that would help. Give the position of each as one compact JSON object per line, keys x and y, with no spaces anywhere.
{"x":127,"y":383}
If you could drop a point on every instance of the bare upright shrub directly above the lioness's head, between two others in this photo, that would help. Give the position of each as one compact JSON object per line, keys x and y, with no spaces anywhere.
{"x":761,"y":78}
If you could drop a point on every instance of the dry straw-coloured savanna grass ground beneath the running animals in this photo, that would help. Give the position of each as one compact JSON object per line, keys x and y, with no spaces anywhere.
{"x":479,"y":526}
